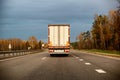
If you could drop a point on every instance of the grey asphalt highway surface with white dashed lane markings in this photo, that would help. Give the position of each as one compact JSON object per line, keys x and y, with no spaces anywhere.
{"x":75,"y":66}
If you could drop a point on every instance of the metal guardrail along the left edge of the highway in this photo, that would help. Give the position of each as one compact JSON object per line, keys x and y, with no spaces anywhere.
{"x":6,"y":54}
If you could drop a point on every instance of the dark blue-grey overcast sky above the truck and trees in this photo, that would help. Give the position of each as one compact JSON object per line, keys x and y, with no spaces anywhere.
{"x":25,"y":18}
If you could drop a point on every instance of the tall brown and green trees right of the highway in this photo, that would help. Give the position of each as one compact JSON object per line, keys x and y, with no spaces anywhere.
{"x":105,"y":33}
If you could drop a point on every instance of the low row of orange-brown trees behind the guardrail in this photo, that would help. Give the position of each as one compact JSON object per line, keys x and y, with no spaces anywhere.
{"x":18,"y":44}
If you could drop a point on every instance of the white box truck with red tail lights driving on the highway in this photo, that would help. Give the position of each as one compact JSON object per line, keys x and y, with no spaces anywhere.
{"x":59,"y":39}
